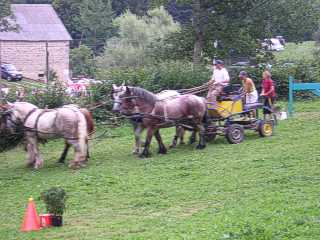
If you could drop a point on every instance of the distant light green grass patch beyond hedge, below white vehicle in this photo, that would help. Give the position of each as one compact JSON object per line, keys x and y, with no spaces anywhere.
{"x":294,"y":52}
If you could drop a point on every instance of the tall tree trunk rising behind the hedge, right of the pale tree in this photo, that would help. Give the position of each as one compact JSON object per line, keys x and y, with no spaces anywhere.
{"x":198,"y":45}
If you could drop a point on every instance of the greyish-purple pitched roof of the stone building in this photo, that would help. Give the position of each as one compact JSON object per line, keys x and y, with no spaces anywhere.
{"x":37,"y":22}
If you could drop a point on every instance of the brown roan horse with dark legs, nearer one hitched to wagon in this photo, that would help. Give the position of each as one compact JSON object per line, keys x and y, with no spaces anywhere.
{"x":156,"y":113}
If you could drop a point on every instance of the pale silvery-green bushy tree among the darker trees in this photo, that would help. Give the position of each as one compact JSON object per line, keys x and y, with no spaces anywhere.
{"x":138,"y":38}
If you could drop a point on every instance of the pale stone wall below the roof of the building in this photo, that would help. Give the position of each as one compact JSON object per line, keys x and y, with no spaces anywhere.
{"x":30,"y":58}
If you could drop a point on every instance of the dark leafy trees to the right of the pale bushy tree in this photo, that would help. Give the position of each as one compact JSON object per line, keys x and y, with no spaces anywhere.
{"x":237,"y":24}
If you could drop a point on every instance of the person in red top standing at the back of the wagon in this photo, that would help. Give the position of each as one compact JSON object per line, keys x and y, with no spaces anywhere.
{"x":268,"y":91}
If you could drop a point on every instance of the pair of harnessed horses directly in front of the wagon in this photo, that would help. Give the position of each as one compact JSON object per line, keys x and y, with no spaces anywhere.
{"x":155,"y":111}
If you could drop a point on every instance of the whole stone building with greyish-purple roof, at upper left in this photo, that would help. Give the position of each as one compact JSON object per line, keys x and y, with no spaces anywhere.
{"x":41,"y":41}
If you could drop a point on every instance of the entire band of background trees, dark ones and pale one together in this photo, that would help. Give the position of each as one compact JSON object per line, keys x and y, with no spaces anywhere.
{"x":129,"y":34}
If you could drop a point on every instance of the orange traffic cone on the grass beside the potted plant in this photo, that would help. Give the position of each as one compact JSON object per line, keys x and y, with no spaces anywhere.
{"x":31,"y":219}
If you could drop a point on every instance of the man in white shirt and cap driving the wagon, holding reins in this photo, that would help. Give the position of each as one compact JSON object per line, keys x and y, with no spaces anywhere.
{"x":220,"y":79}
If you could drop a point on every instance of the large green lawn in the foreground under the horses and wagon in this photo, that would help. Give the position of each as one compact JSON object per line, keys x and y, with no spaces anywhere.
{"x":264,"y":188}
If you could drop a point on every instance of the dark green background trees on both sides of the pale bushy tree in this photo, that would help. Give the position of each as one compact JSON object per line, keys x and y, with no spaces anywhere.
{"x":235,"y":24}
